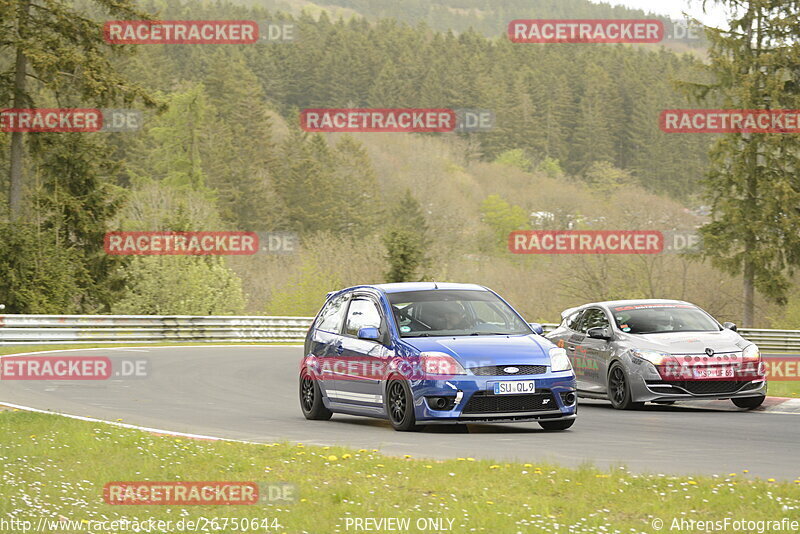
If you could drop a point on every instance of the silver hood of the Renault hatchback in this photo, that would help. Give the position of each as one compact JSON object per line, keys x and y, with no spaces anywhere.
{"x":686,"y":342}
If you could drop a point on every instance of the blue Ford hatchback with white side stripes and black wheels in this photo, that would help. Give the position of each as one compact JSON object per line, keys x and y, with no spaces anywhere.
{"x":422,"y":353}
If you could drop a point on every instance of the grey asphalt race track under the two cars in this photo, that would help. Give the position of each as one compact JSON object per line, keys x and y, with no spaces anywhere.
{"x":250,"y":393}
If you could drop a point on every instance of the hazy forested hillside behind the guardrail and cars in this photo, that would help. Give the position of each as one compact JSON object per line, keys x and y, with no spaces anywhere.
{"x":576,"y":136}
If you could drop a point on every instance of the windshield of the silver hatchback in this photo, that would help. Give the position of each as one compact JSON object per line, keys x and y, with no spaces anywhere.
{"x":658,"y":318}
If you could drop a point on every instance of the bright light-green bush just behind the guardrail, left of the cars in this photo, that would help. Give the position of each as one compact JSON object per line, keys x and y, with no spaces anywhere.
{"x":181,"y":285}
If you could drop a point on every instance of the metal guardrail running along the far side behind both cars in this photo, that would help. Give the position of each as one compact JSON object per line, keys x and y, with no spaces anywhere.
{"x":81,"y":329}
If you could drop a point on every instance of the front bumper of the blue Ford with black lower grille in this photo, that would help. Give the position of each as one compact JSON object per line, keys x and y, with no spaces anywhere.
{"x":551,"y":389}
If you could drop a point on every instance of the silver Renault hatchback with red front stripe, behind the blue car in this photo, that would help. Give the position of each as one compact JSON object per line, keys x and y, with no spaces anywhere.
{"x":637,"y":351}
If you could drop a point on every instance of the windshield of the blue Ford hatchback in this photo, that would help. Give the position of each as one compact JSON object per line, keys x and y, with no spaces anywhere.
{"x":443,"y":312}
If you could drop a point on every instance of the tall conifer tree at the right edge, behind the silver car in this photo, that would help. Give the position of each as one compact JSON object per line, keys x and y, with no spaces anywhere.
{"x":753,"y":181}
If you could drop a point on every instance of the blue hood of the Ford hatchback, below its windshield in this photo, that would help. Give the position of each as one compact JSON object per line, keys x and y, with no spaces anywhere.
{"x":477,"y":351}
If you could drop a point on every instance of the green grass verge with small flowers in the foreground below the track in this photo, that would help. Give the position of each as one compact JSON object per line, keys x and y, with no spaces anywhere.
{"x":55,"y":466}
